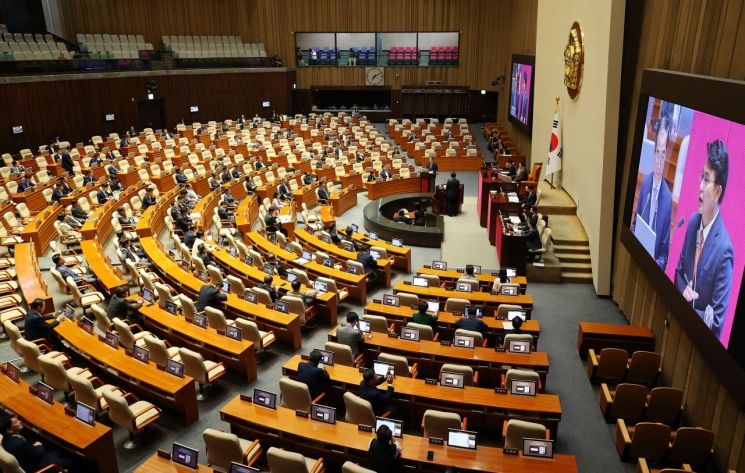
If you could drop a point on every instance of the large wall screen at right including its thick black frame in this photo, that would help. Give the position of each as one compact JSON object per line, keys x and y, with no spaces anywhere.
{"x":684,"y":209}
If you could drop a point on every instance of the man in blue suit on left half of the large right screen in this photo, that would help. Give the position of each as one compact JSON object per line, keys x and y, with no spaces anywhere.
{"x":655,"y":201}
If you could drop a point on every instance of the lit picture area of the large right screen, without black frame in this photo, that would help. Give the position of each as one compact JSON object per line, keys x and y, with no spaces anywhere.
{"x":688,"y":205}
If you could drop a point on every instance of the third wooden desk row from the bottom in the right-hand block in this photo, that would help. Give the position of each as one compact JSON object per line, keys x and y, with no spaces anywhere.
{"x":431,"y":355}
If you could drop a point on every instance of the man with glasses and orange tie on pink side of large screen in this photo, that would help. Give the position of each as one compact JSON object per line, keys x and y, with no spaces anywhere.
{"x":704,"y":271}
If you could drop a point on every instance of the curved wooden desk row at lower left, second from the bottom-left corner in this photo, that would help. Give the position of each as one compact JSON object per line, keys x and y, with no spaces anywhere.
{"x":146,"y":379}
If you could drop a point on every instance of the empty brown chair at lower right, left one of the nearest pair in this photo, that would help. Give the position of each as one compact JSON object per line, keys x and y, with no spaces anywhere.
{"x":646,"y":439}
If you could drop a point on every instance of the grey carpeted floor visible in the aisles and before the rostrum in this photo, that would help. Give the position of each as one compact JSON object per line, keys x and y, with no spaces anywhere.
{"x":559,"y":308}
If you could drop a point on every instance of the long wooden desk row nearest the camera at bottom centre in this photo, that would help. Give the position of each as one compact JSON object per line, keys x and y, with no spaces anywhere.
{"x":343,"y":441}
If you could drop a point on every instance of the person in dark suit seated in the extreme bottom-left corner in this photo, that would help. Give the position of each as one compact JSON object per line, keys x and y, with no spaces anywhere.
{"x":31,"y":456}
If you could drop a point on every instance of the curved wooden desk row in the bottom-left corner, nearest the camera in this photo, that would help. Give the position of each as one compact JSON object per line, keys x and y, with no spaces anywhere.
{"x":95,"y":444}
